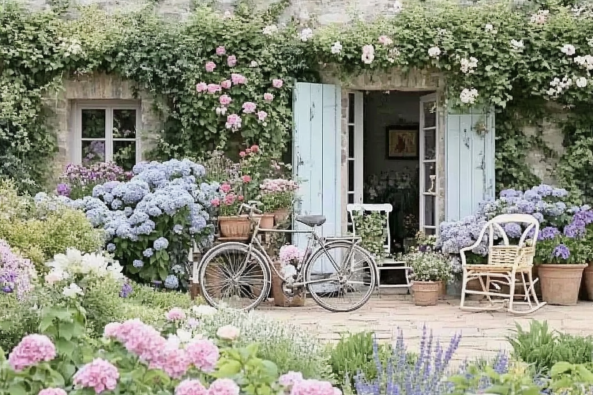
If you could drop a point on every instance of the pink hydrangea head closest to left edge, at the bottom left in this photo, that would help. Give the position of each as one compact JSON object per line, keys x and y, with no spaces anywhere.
{"x":31,"y":350}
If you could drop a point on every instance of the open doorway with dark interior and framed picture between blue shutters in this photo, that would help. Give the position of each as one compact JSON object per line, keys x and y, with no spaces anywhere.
{"x":392,"y":159}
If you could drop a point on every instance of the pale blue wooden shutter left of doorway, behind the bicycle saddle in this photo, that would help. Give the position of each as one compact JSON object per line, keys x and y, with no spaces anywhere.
{"x":316,"y":155}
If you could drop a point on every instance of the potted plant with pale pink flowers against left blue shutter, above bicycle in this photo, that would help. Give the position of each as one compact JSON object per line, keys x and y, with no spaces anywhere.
{"x":277,"y":196}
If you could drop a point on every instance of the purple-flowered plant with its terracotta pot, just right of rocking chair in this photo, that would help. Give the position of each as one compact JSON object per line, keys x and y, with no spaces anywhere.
{"x":561,"y":260}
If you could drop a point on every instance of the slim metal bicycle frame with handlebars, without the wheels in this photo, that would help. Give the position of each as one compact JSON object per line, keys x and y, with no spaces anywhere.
{"x":313,"y":240}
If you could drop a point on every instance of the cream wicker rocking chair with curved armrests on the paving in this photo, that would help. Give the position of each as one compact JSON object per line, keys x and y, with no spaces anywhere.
{"x":508,"y":265}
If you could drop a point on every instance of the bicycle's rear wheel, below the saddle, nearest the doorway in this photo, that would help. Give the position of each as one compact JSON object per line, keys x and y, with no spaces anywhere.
{"x":350,"y":286}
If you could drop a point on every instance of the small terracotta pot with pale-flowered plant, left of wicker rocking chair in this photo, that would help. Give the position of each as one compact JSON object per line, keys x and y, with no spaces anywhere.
{"x":429,"y":270}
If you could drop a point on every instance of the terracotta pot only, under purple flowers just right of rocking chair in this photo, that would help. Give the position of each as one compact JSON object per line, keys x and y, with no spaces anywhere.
{"x":560,"y":283}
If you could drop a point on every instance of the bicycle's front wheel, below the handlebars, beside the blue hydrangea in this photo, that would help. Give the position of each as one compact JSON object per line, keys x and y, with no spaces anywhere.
{"x":234,"y":276}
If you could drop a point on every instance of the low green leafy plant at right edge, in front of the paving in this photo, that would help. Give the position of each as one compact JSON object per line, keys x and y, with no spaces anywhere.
{"x":543,"y":348}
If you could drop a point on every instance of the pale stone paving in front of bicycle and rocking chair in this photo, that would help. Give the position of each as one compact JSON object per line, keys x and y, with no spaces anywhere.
{"x":483,"y":333}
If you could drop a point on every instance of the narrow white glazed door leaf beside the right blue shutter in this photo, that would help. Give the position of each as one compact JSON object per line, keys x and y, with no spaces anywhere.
{"x":422,"y":161}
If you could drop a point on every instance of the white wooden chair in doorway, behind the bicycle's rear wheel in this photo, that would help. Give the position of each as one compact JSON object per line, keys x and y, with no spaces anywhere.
{"x":388,"y":263}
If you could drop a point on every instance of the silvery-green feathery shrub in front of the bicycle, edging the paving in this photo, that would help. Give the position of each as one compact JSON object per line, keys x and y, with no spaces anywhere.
{"x":290,"y":347}
